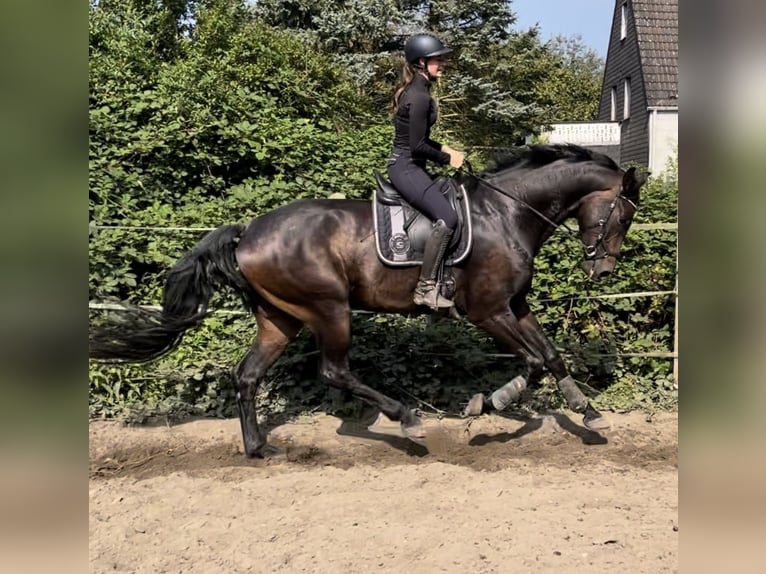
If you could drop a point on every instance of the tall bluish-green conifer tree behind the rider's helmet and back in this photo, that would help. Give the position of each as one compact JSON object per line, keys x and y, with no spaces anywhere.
{"x":368,"y":37}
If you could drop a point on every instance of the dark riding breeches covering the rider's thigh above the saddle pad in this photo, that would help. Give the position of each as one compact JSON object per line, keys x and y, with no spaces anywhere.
{"x":420,"y":191}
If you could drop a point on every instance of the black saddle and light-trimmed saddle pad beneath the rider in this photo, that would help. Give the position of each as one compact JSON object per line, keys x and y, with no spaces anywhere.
{"x":401,"y":230}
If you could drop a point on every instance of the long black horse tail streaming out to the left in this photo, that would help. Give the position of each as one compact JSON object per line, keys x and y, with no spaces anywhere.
{"x":139,"y":334}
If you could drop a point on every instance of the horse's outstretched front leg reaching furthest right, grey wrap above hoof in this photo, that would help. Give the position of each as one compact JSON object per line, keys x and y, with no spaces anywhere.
{"x":533,"y":332}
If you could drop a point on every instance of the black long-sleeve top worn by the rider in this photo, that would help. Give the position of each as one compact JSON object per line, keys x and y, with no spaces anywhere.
{"x":414,"y":118}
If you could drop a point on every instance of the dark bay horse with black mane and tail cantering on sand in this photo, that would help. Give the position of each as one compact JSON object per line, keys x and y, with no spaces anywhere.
{"x":312,"y":261}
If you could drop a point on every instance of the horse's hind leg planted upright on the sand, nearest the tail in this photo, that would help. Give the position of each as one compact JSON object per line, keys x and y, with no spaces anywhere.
{"x":275,"y":331}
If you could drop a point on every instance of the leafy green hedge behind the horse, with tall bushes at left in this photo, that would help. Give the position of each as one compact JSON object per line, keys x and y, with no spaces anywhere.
{"x":246,"y":118}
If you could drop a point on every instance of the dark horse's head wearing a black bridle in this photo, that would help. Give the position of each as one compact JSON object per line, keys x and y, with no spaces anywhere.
{"x":604,"y":218}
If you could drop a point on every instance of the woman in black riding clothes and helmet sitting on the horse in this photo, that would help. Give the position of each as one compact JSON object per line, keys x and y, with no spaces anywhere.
{"x":415,"y":112}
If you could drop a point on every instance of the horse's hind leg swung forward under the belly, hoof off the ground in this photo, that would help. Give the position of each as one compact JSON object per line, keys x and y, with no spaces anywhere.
{"x":333,"y":333}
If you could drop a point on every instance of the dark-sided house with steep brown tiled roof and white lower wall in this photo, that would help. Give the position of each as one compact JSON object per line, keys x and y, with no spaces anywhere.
{"x":640,"y":87}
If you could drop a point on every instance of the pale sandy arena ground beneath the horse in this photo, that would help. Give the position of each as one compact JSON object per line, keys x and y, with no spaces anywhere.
{"x":501,"y":495}
